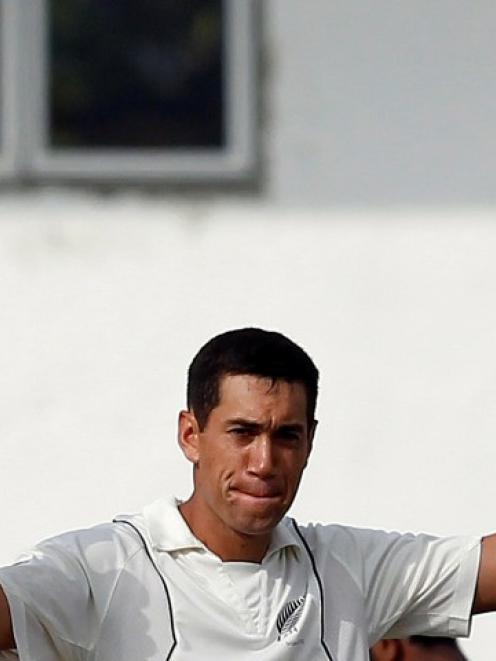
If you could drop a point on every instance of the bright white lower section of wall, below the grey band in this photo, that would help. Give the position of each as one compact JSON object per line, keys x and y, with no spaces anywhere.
{"x":104,"y":304}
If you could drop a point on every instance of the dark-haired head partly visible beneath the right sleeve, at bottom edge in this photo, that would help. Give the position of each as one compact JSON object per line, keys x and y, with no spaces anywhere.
{"x":417,"y":648}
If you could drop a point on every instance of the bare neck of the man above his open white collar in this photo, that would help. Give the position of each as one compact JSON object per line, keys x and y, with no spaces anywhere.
{"x":229,"y":545}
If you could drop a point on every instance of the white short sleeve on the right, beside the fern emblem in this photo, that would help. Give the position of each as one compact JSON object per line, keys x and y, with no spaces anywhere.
{"x":418,"y":584}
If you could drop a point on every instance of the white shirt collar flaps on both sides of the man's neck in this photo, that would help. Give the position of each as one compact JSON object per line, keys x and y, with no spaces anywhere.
{"x":169,"y":531}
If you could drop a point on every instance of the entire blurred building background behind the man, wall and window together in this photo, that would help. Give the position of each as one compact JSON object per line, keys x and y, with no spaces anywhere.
{"x":172,"y":170}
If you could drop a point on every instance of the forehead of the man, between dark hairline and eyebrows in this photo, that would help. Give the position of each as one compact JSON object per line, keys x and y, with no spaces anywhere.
{"x":245,"y":394}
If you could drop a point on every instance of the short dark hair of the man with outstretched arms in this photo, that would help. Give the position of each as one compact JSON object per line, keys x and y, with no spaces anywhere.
{"x":248,"y":351}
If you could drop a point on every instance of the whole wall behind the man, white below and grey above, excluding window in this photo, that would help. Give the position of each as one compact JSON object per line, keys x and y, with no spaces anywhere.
{"x":104,"y":300}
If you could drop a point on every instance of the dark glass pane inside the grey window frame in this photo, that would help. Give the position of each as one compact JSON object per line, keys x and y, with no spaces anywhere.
{"x":129,"y":73}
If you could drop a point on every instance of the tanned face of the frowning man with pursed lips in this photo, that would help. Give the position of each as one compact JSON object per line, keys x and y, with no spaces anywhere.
{"x":251,"y":454}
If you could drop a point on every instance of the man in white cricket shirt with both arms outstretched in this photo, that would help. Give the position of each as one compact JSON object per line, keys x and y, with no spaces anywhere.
{"x":225,"y":574}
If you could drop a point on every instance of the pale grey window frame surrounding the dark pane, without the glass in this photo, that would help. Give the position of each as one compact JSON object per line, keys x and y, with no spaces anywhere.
{"x":235,"y":161}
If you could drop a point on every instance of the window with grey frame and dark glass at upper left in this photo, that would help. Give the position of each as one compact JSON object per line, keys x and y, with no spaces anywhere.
{"x":127,"y":90}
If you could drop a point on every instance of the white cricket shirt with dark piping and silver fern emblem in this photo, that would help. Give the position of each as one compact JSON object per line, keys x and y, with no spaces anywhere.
{"x":144,"y":588}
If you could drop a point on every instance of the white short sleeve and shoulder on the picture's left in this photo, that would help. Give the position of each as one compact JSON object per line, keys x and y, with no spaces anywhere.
{"x":59,"y":593}
